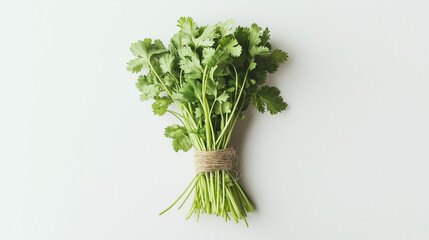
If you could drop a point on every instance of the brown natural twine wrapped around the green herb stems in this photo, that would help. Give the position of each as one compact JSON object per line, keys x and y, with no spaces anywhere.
{"x":209,"y":161}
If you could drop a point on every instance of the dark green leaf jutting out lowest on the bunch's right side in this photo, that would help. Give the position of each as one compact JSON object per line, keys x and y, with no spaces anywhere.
{"x":270,"y":98}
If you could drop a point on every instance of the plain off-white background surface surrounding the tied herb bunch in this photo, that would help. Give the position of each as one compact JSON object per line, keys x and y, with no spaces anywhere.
{"x":82,"y":158}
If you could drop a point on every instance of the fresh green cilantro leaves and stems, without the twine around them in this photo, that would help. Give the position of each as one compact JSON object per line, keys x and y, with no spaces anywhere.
{"x":207,"y":77}
